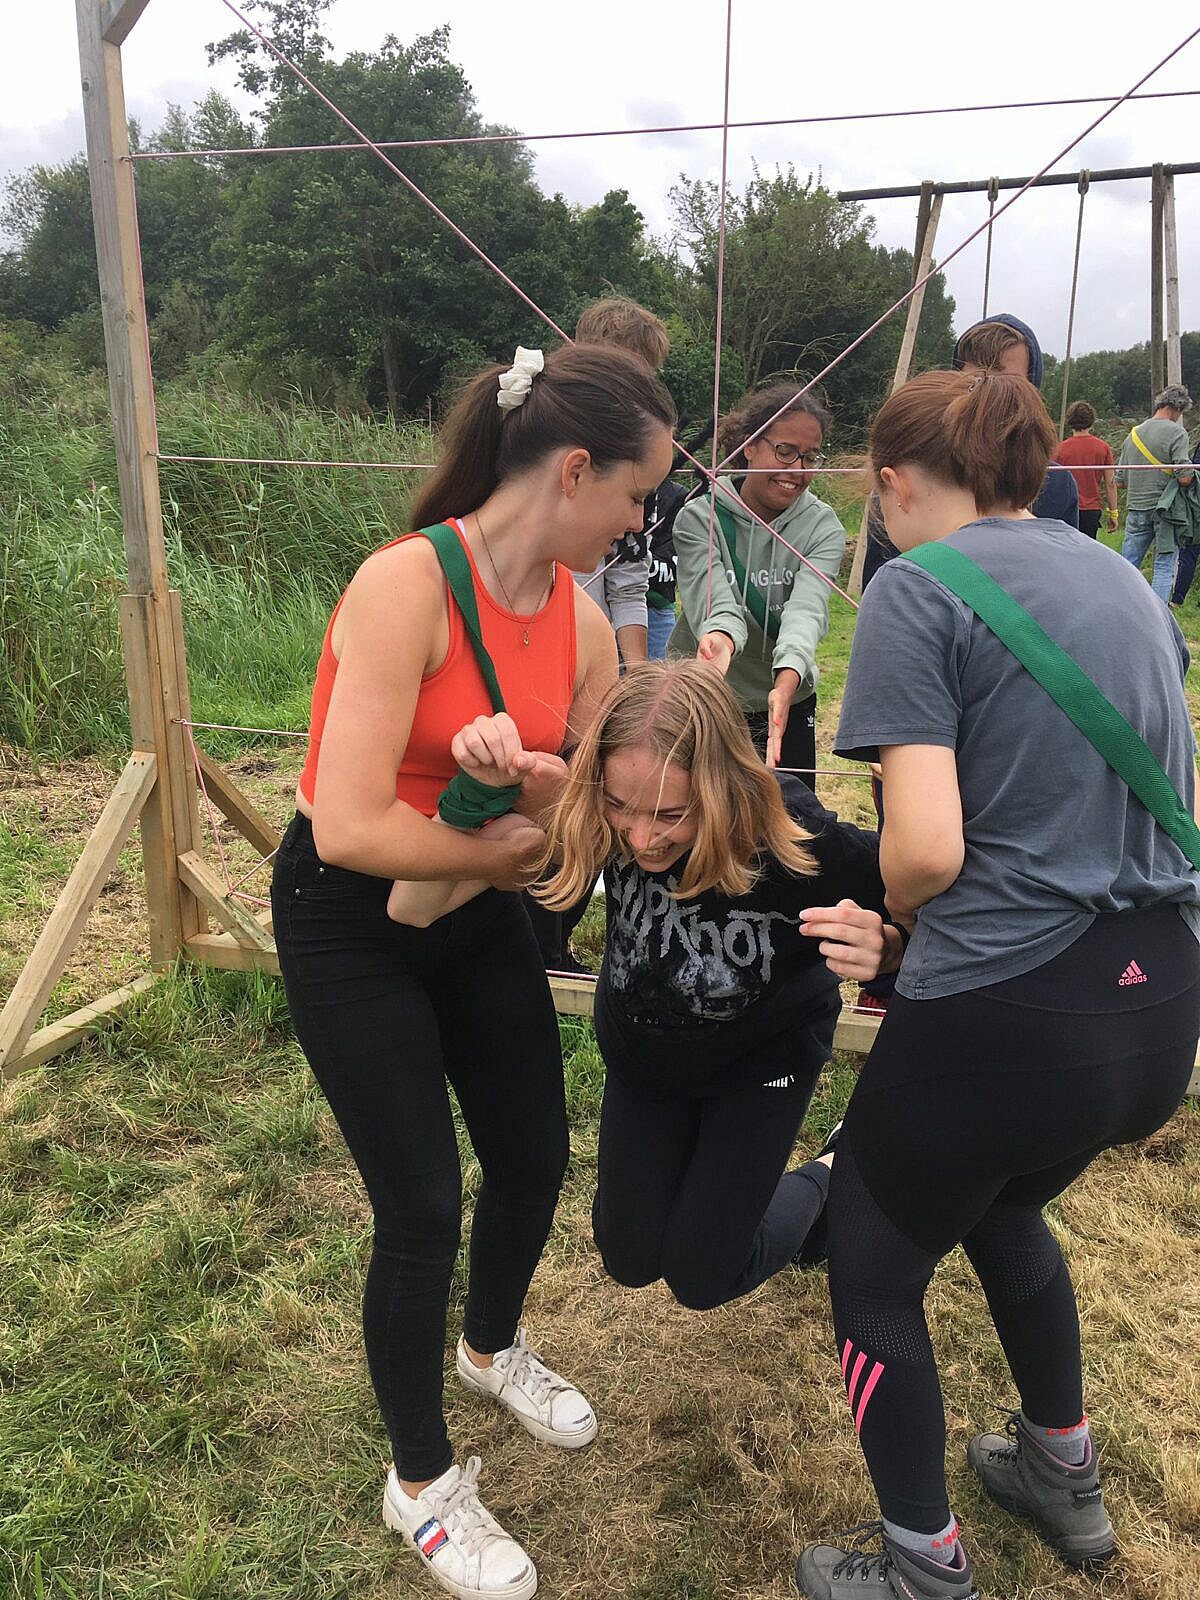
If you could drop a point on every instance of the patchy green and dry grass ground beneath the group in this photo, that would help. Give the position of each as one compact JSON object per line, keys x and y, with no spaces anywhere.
{"x":185,"y":1409}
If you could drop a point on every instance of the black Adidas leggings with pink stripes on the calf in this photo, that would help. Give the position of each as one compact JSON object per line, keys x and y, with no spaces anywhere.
{"x":972,"y":1114}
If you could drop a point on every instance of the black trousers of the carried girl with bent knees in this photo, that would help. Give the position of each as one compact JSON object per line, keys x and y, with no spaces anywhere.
{"x":694,"y":1190}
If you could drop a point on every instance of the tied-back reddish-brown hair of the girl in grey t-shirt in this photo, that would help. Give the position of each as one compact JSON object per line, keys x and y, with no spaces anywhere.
{"x":988,"y":434}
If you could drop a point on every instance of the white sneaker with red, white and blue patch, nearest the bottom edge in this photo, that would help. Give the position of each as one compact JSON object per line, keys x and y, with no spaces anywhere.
{"x":462,"y":1545}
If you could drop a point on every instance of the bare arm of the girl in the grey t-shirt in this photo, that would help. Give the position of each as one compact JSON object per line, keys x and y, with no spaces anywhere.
{"x":922,"y":846}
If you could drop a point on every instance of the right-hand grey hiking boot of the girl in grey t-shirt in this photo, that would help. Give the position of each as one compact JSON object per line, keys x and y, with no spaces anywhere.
{"x":1063,"y":1503}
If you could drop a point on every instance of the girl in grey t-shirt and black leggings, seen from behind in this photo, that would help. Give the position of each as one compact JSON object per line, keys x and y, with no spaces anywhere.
{"x":1049,"y":1006}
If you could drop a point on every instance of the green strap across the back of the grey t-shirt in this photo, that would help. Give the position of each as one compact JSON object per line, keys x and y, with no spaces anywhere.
{"x":1068,"y":686}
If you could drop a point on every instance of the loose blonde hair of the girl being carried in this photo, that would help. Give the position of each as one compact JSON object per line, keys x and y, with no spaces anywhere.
{"x":687,"y":714}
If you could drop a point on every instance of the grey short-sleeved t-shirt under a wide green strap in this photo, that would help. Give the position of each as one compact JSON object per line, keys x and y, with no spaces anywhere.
{"x":1054,"y":836}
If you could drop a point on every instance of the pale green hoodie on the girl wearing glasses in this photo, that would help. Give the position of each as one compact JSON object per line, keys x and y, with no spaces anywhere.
{"x":794,"y":594}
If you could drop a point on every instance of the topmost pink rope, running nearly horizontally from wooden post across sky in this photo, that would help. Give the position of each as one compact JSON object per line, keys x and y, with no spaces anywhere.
{"x":630,"y":134}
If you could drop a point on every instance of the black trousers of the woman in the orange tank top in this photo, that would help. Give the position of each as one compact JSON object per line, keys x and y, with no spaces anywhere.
{"x":386,"y":1015}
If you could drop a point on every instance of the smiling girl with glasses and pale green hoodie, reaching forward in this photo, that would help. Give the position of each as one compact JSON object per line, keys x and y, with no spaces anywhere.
{"x":750,"y":604}
